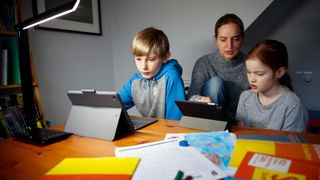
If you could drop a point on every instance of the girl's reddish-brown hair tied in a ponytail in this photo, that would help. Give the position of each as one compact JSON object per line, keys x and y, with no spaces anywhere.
{"x":273,"y":54}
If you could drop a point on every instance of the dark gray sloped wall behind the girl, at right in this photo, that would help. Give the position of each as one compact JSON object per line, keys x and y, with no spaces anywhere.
{"x":295,"y":23}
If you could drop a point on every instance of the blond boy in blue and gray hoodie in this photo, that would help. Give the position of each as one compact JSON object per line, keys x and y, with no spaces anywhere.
{"x":154,"y":89}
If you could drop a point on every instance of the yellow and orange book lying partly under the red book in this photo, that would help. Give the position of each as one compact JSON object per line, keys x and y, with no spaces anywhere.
{"x":281,"y":149}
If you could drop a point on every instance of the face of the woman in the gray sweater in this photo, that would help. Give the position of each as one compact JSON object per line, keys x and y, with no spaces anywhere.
{"x":229,"y":40}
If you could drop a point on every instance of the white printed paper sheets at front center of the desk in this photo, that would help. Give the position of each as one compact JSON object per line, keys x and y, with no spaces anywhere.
{"x":163,"y":159}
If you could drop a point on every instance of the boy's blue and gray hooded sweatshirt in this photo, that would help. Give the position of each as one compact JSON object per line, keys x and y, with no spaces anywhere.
{"x":156,"y":97}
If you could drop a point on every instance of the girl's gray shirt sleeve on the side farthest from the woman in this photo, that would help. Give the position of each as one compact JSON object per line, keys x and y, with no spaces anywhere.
{"x":296,"y":118}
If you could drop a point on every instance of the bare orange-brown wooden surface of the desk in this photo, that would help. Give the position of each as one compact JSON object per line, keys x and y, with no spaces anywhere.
{"x":24,"y":161}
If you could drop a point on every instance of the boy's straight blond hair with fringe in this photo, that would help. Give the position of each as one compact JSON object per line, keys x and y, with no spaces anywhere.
{"x":150,"y":40}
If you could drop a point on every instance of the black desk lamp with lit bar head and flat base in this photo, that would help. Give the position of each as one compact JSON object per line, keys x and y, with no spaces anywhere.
{"x":33,"y":131}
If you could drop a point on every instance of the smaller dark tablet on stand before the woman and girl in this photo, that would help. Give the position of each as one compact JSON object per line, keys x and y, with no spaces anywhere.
{"x":203,"y":116}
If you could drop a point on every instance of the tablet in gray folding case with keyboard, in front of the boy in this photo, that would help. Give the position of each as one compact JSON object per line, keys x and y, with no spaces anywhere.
{"x":100,"y":114}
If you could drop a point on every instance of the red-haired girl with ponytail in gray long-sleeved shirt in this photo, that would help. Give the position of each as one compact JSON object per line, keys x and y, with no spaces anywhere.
{"x":271,"y":102}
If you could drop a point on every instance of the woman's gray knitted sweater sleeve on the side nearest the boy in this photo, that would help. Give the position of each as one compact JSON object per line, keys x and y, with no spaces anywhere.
{"x":199,"y":76}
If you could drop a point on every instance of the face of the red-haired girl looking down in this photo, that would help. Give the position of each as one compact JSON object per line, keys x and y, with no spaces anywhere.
{"x":262,"y":79}
